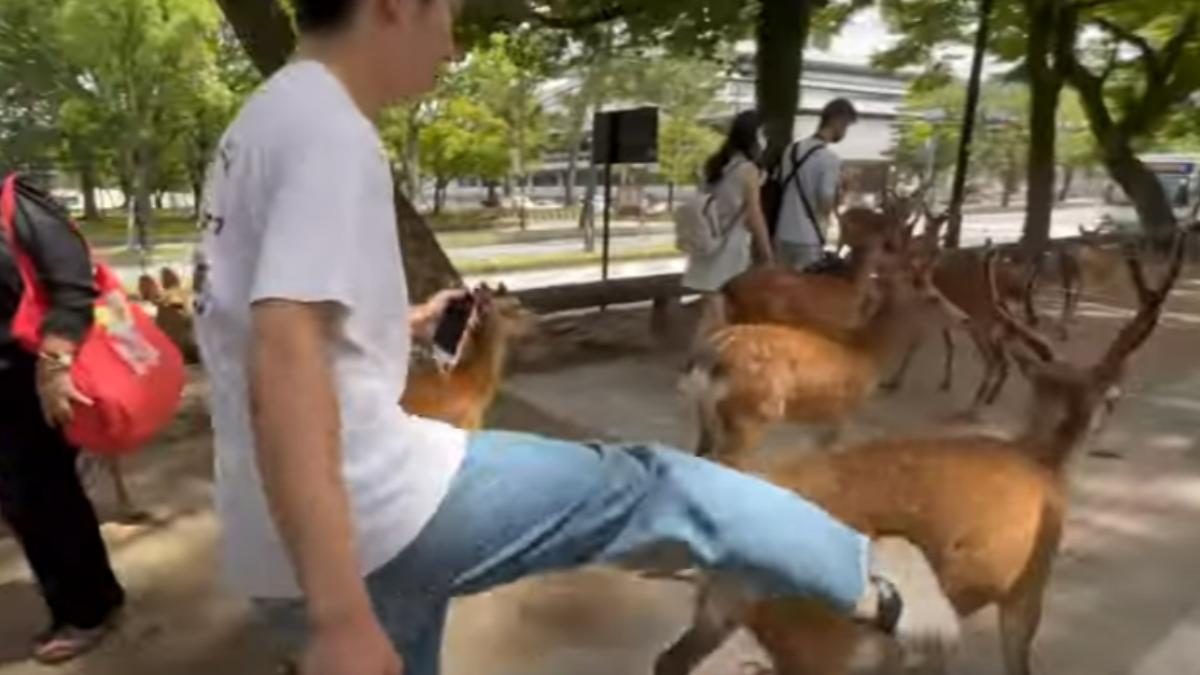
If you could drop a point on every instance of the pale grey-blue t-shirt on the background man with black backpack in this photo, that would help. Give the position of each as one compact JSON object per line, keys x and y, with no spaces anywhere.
{"x":819,"y":178}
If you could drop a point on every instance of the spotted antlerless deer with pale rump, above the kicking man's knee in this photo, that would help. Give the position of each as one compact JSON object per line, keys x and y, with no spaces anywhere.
{"x":745,"y":379}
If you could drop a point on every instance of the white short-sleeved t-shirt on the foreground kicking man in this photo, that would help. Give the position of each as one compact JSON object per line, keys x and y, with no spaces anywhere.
{"x":299,"y":207}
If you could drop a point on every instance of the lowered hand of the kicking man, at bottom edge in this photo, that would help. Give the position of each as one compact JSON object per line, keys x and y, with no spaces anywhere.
{"x":357,"y":648}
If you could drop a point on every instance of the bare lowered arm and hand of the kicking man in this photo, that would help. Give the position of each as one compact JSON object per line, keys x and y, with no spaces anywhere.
{"x":298,"y":441}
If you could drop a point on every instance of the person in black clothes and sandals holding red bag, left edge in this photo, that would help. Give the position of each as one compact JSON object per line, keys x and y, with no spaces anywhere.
{"x":41,"y":497}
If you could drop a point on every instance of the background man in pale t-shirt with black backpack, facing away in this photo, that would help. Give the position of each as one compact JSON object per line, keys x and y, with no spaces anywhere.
{"x":811,"y":198}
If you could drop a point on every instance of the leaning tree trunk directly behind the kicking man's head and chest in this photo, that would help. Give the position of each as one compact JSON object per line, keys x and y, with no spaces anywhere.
{"x":266,"y":32}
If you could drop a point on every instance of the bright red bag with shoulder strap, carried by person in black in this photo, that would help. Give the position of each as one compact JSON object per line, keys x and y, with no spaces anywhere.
{"x":127,"y":366}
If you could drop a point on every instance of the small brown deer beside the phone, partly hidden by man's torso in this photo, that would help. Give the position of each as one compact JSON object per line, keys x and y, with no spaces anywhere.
{"x":465,"y":393}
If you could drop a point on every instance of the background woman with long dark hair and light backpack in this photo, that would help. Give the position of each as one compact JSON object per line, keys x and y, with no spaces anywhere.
{"x":733,"y":207}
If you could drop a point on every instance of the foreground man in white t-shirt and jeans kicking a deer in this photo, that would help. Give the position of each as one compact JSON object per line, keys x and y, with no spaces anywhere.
{"x":358,"y":523}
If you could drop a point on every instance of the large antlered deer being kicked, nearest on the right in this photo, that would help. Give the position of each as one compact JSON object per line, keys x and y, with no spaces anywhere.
{"x":987,"y":512}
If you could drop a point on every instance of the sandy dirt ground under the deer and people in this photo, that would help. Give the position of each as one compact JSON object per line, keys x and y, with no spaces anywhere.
{"x":1124,"y":599}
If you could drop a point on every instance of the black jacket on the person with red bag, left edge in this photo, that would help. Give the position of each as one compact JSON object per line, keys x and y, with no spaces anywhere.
{"x":62,"y":261}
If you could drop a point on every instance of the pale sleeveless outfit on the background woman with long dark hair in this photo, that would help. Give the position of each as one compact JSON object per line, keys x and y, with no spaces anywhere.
{"x":710,"y":274}
